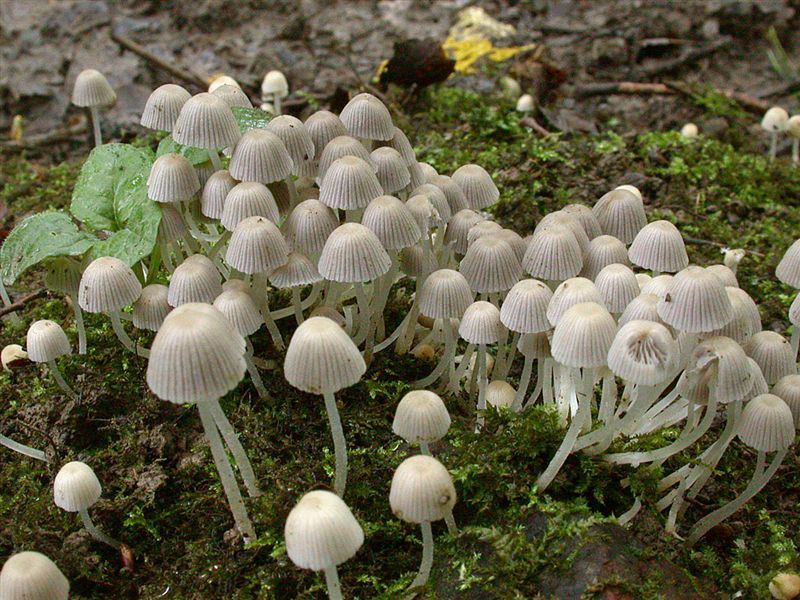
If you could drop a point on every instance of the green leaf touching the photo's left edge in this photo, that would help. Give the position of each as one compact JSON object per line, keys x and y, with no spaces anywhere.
{"x":38,"y":237}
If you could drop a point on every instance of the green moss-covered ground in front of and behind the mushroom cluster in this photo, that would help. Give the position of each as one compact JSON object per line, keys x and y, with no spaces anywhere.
{"x":162,"y":495}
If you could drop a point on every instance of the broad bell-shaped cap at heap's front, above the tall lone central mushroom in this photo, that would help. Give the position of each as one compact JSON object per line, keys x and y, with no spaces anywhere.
{"x":353,"y":254}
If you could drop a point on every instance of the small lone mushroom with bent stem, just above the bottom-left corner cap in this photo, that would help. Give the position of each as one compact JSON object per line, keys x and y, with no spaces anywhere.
{"x":76,"y":489}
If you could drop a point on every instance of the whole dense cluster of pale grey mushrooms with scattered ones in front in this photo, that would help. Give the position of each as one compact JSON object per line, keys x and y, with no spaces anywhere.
{"x":609,"y":323}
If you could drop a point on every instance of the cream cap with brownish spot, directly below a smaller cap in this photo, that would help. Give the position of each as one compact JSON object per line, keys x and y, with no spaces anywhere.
{"x":422,"y":490}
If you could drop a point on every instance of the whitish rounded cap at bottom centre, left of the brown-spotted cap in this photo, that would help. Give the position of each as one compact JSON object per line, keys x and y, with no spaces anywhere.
{"x":321,"y":532}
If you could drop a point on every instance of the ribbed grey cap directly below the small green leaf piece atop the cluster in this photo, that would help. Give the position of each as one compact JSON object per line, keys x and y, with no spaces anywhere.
{"x":261,"y":156}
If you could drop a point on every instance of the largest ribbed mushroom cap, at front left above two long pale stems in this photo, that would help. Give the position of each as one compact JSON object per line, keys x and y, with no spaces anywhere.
{"x":196,"y":356}
